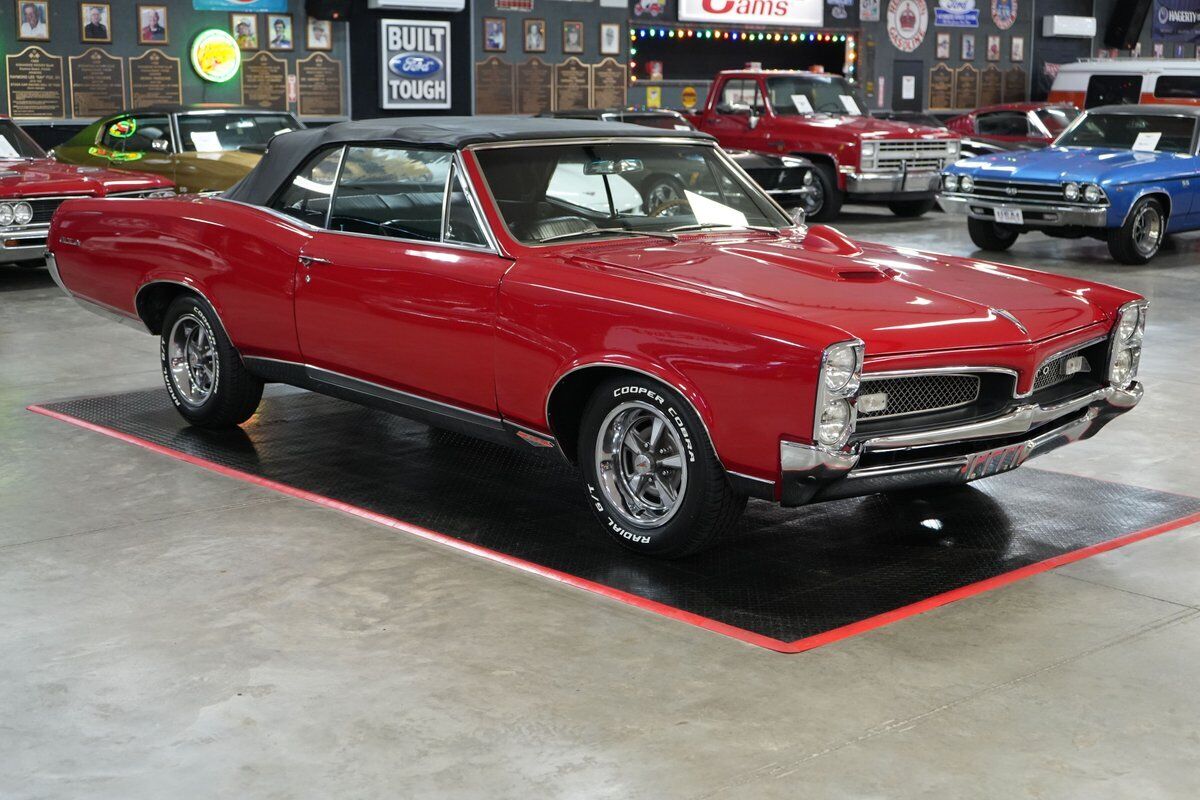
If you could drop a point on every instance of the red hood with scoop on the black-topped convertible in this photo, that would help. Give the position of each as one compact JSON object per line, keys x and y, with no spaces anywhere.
{"x":897,"y":300}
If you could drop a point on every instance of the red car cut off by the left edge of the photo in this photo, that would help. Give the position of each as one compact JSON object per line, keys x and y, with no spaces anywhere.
{"x":33,"y":185}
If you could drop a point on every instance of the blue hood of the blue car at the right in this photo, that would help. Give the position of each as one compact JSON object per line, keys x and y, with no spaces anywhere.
{"x":1081,"y":165}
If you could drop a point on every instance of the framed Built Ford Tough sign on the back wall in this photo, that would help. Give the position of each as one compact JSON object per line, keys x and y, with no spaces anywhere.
{"x":415,"y":63}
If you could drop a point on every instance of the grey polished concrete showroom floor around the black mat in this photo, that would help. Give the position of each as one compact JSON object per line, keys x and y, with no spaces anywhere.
{"x":167,"y":633}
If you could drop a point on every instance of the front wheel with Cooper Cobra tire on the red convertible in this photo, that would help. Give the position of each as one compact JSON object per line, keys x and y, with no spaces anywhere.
{"x":652,"y":477}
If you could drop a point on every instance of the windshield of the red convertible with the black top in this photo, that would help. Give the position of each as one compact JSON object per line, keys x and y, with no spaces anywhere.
{"x":567,"y":191}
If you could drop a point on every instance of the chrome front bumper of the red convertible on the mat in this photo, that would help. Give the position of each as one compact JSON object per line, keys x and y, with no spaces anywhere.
{"x":813,"y":473}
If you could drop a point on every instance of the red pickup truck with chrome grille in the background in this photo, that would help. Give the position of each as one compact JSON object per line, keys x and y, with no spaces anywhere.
{"x":823,"y":118}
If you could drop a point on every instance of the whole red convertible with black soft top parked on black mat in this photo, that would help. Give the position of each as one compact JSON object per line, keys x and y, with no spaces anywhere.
{"x":482,"y":275}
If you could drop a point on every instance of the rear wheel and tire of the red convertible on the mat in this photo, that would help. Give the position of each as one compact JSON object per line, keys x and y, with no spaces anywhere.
{"x":206,"y":380}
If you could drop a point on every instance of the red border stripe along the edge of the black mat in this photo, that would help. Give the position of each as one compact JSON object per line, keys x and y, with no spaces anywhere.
{"x":671,"y":612}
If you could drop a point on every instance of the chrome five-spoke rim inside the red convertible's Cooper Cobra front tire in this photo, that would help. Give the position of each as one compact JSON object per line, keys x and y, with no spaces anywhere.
{"x":641,"y":465}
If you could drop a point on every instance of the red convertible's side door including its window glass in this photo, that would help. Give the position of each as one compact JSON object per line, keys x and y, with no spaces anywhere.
{"x":401,"y":288}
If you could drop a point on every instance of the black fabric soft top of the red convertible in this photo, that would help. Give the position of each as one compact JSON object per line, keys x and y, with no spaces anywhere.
{"x":287,"y":152}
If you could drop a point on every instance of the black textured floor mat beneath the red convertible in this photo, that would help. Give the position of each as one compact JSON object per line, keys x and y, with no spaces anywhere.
{"x":790,"y":580}
